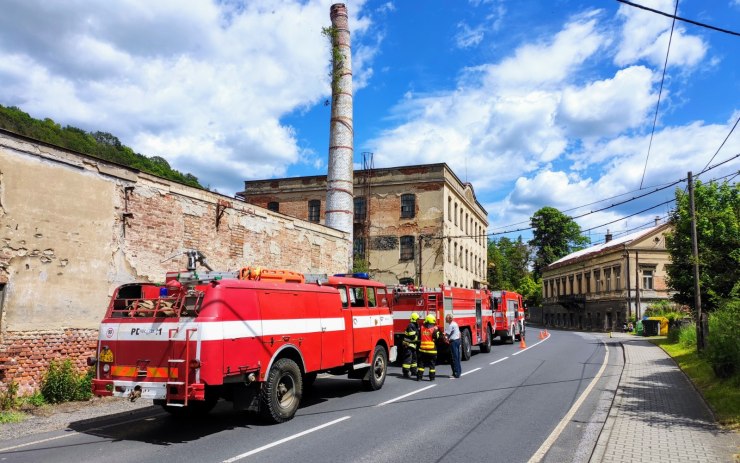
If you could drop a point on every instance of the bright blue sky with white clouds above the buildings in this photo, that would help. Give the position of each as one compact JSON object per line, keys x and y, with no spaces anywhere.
{"x":536,"y":103}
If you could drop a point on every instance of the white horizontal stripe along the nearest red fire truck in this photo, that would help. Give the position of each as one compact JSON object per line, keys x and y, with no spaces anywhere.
{"x":214,"y":331}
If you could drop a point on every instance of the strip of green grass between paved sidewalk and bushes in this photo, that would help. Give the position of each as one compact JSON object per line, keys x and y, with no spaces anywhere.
{"x":722,"y":395}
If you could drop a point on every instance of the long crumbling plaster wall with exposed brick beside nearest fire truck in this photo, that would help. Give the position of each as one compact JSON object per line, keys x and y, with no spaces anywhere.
{"x":72,"y":228}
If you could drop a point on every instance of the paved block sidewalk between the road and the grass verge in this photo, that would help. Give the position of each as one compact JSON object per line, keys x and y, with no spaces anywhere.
{"x":658,"y":416}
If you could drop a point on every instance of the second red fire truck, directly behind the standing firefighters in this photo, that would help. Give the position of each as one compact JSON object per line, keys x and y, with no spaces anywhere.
{"x":470,"y":308}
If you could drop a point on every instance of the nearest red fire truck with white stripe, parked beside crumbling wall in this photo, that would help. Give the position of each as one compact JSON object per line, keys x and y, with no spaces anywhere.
{"x":253,"y":337}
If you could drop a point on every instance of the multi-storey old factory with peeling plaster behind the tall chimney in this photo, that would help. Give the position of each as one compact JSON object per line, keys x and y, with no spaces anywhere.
{"x":417,"y":224}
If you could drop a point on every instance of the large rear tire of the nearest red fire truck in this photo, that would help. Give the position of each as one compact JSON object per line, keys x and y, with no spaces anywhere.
{"x":281,"y":393}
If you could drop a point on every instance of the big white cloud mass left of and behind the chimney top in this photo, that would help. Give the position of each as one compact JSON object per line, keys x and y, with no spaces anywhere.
{"x":210,"y":81}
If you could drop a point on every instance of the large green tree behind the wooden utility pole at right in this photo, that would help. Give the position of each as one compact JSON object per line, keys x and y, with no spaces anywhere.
{"x":718,"y":236}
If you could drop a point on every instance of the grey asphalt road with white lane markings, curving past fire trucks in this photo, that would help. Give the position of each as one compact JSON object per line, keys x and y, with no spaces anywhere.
{"x":508,"y":406}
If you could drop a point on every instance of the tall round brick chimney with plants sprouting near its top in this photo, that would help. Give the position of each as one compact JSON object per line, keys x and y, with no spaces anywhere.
{"x":339,"y":180}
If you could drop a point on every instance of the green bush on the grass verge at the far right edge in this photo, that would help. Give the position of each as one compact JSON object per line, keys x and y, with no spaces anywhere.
{"x":723,"y":347}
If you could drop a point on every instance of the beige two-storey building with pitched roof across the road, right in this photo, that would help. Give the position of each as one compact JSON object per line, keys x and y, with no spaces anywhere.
{"x":603,"y":286}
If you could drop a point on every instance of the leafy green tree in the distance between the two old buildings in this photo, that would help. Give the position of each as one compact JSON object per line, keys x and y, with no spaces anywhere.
{"x":555,"y":235}
